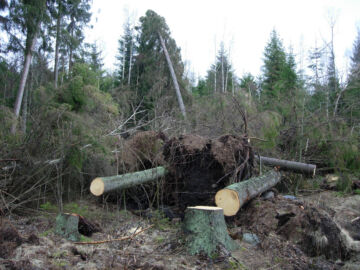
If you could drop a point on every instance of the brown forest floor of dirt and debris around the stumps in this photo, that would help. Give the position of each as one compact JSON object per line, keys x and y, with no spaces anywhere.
{"x":29,"y":241}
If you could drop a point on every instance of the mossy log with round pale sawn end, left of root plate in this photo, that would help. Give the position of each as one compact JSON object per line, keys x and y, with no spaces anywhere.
{"x":101,"y":185}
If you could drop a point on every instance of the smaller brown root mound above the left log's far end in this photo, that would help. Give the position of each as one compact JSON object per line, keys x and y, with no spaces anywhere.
{"x":143,"y":151}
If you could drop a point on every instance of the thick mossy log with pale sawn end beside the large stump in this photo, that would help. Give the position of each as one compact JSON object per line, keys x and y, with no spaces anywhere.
{"x":234,"y":196}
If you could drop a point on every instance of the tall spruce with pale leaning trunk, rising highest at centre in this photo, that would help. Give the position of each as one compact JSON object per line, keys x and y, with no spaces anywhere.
{"x":158,"y":66}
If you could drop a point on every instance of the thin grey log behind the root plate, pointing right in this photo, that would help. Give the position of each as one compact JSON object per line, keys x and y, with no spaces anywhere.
{"x":287,"y":165}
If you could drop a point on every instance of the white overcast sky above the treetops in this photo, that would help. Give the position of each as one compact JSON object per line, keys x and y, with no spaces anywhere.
{"x":243,"y":26}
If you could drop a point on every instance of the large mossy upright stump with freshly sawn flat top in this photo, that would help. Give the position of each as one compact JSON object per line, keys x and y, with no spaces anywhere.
{"x":206,"y":230}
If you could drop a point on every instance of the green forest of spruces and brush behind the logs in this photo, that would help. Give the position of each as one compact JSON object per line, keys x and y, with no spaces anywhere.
{"x":64,"y":120}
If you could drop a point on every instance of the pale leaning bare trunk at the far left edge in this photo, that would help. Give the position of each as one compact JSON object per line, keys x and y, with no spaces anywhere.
{"x":24,"y":75}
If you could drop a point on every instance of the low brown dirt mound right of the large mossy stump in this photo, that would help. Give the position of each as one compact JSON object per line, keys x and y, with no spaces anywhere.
{"x":312,"y":229}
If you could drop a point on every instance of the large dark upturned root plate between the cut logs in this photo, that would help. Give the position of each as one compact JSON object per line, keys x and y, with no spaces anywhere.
{"x":202,"y":166}
